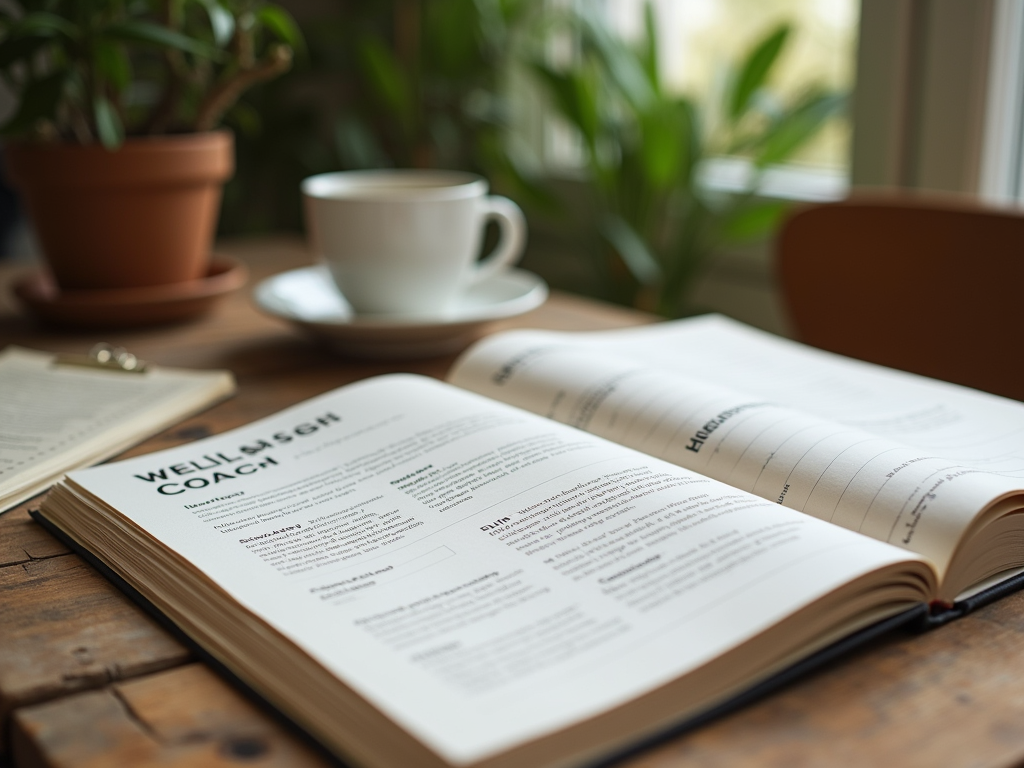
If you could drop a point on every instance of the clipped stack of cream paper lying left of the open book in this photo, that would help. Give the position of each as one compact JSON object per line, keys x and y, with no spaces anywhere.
{"x":56,"y":418}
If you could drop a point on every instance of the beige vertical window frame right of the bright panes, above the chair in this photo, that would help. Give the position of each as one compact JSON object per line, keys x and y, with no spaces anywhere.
{"x":923,"y":88}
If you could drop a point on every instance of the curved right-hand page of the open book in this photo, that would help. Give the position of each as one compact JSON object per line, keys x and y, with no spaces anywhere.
{"x":893,"y":456}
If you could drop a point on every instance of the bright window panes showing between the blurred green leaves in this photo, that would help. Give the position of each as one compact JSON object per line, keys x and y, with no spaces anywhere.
{"x":699,"y":40}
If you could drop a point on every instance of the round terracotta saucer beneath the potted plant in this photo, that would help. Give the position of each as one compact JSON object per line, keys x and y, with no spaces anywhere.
{"x":130,"y":308}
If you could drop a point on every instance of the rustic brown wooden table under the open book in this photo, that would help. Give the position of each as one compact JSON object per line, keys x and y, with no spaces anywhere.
{"x":87,"y":679}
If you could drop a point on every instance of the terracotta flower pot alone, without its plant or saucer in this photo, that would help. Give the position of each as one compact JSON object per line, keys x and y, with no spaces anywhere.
{"x":142,"y":216}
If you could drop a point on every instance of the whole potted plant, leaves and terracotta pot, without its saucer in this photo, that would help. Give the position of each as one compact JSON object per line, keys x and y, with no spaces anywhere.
{"x":115,"y":144}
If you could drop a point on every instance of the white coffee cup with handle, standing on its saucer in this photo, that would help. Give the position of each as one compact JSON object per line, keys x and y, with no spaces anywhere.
{"x":407,"y":242}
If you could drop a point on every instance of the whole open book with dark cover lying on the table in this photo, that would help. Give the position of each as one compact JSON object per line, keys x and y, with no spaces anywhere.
{"x":419,"y":575}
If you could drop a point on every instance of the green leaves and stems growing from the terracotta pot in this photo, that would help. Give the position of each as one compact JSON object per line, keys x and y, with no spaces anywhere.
{"x":88,"y":71}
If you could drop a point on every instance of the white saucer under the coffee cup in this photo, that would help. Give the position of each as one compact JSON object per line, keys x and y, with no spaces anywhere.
{"x":309,"y":298}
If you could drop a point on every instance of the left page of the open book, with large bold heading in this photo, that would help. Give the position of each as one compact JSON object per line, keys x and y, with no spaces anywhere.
{"x":481,"y":575}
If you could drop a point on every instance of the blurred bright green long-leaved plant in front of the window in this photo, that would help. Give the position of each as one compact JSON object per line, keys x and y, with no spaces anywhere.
{"x":645,"y":149}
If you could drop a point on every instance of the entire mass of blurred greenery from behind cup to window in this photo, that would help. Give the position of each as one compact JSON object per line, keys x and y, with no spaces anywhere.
{"x":425,"y":83}
